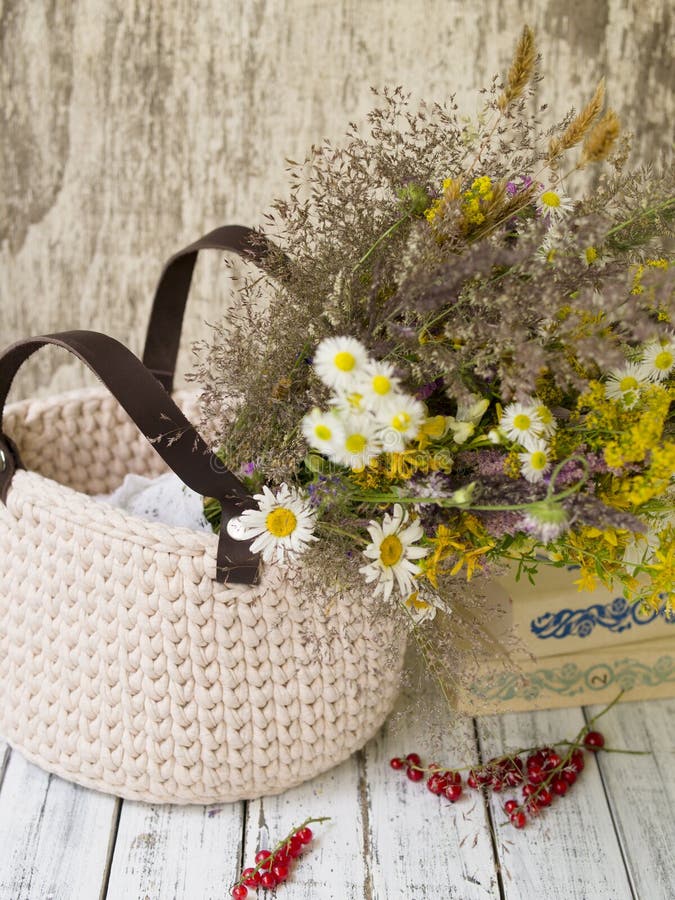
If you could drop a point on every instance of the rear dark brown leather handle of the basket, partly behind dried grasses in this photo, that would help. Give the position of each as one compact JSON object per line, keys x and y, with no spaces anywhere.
{"x":168,"y":307}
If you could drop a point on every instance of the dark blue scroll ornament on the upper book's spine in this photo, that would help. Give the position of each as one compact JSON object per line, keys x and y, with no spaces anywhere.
{"x":617,"y":616}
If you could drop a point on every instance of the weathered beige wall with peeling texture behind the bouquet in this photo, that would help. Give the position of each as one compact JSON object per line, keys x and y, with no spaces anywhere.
{"x":129,"y":128}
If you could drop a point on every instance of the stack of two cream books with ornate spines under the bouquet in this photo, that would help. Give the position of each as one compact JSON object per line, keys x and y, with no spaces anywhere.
{"x":574,"y":647}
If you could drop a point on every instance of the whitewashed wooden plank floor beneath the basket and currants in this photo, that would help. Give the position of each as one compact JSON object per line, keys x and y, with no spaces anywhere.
{"x":611,"y":838}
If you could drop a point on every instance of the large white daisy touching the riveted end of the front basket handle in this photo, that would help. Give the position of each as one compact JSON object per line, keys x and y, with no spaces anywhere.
{"x":283,"y":525}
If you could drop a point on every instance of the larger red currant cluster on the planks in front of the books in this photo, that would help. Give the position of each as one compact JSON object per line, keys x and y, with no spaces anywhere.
{"x":544,"y":774}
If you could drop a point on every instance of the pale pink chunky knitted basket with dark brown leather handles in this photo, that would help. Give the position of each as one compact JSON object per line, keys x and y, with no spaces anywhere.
{"x":131,"y":659}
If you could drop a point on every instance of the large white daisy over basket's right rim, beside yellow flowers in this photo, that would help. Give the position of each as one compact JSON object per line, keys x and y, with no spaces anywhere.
{"x":392,"y":552}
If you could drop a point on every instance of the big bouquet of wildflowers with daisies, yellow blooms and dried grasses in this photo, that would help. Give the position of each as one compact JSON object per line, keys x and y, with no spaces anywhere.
{"x":456,"y":361}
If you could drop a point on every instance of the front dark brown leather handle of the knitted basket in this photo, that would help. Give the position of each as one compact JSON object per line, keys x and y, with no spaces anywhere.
{"x":155,"y":413}
